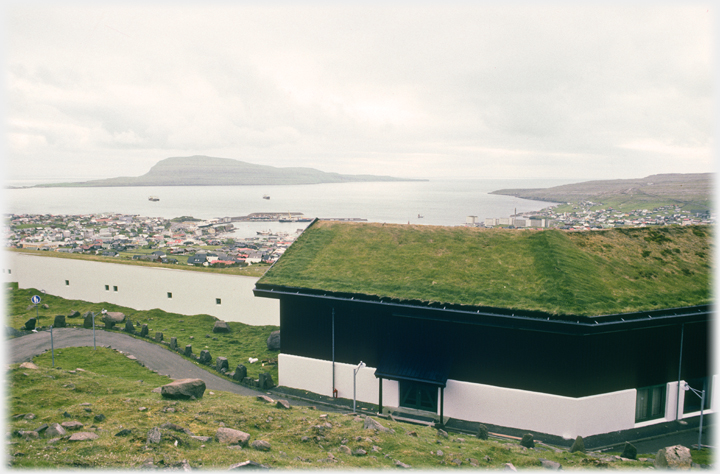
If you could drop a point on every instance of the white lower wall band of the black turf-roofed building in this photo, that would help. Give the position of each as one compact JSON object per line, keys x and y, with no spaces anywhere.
{"x":545,"y":413}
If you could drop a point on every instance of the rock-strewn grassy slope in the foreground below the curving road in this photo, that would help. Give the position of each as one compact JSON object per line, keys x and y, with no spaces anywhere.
{"x":117,"y":388}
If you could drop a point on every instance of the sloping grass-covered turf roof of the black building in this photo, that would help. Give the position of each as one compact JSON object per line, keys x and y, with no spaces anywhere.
{"x":580,"y":273}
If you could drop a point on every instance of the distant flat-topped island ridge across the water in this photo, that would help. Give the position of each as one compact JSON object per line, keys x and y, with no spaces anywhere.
{"x":209,"y":171}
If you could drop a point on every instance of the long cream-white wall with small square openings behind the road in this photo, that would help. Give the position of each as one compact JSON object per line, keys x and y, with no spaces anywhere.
{"x":144,"y":288}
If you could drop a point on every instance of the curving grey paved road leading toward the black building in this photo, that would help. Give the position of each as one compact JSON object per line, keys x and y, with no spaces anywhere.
{"x":165,"y":362}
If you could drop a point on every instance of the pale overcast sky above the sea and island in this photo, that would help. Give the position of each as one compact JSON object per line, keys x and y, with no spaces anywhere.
{"x":474,"y":90}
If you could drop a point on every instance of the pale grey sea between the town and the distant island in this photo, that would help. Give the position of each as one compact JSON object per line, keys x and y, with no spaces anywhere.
{"x":446,"y":202}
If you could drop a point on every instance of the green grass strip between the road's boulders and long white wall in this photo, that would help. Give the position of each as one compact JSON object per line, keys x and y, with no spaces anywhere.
{"x":243,"y":342}
